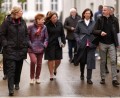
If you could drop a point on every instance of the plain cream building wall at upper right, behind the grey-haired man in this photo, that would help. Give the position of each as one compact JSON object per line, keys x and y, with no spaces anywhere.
{"x":92,"y":4}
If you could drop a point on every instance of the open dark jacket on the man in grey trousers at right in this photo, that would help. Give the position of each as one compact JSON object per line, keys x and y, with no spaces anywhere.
{"x":99,"y":26}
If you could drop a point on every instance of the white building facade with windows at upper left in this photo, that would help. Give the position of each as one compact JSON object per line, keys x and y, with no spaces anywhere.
{"x":32,"y":7}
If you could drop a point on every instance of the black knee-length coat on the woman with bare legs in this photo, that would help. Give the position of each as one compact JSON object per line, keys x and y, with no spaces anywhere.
{"x":54,"y":32}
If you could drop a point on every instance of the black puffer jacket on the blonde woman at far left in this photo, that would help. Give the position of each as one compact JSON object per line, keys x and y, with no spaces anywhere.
{"x":14,"y":37}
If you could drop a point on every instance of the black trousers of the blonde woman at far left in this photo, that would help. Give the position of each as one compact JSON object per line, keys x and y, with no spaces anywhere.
{"x":13,"y":72}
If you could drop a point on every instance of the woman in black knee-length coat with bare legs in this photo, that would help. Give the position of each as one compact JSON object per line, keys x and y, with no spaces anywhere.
{"x":53,"y":53}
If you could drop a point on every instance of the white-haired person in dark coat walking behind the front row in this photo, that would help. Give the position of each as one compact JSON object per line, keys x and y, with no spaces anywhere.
{"x":70,"y":24}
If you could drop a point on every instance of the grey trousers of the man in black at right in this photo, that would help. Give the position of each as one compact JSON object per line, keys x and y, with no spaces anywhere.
{"x":104,"y":48}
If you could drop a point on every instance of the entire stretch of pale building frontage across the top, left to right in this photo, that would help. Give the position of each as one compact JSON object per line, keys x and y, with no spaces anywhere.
{"x":62,"y":7}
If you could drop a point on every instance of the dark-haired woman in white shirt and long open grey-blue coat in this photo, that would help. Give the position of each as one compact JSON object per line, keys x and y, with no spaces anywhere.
{"x":85,"y":49}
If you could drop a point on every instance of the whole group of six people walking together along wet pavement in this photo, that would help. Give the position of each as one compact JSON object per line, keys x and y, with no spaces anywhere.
{"x":46,"y":36}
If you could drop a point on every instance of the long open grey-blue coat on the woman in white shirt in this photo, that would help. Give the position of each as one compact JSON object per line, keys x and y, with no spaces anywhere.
{"x":82,"y":34}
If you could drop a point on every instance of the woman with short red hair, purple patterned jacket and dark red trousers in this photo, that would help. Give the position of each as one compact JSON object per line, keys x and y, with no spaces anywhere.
{"x":38,"y":40}
